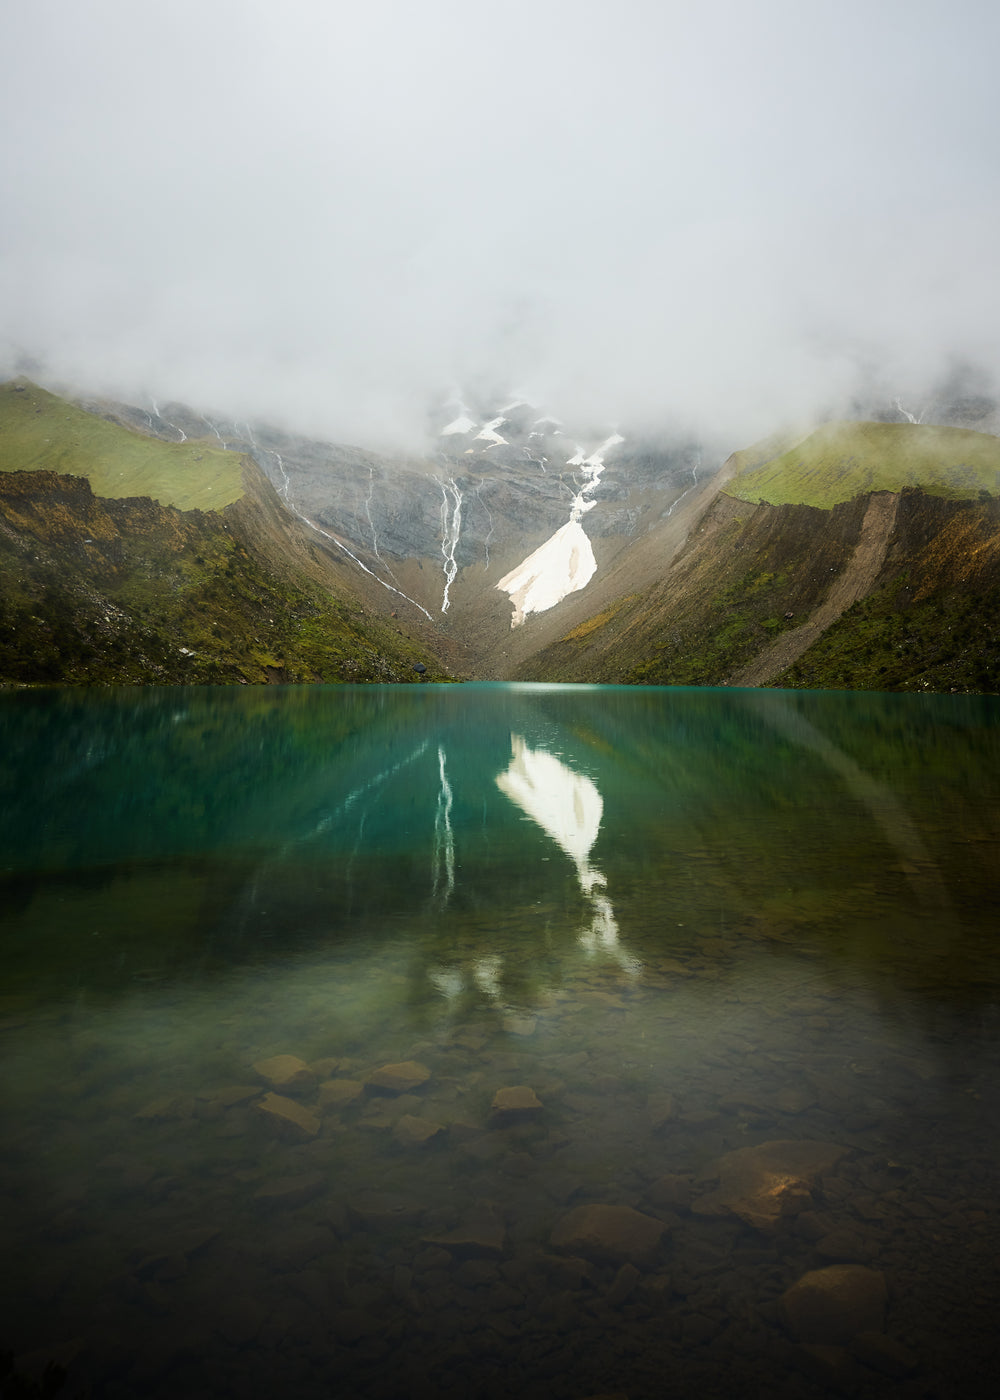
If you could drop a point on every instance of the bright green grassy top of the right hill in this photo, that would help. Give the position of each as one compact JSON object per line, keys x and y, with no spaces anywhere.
{"x":847,"y":460}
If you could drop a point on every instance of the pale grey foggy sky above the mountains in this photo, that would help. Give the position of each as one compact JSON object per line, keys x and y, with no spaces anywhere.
{"x":669,"y":215}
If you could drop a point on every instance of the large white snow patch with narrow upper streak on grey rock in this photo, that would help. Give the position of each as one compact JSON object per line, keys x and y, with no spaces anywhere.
{"x":565,"y":563}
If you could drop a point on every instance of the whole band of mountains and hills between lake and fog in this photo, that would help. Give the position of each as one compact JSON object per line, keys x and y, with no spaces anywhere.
{"x":160,"y":545}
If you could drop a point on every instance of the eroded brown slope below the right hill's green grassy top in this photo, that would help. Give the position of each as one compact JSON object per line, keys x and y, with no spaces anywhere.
{"x":880,"y":593}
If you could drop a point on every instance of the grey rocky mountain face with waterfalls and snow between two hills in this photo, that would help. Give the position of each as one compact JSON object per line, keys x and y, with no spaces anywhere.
{"x":445,"y":535}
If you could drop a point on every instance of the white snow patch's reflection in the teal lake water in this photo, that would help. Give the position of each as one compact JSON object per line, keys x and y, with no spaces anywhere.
{"x":569,"y":808}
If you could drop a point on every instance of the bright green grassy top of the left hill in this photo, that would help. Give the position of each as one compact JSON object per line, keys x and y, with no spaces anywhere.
{"x":40,"y":432}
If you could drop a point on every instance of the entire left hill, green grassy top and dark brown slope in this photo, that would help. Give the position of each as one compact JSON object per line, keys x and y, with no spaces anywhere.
{"x":123,"y":587}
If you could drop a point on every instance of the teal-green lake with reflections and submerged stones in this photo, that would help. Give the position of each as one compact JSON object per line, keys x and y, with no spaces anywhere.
{"x":489,"y":1041}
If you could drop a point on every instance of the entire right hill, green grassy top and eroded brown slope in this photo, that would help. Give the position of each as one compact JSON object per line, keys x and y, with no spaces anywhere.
{"x":863,"y":558}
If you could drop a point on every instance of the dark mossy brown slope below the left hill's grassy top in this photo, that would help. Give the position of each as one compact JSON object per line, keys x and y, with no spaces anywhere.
{"x":102,"y":591}
